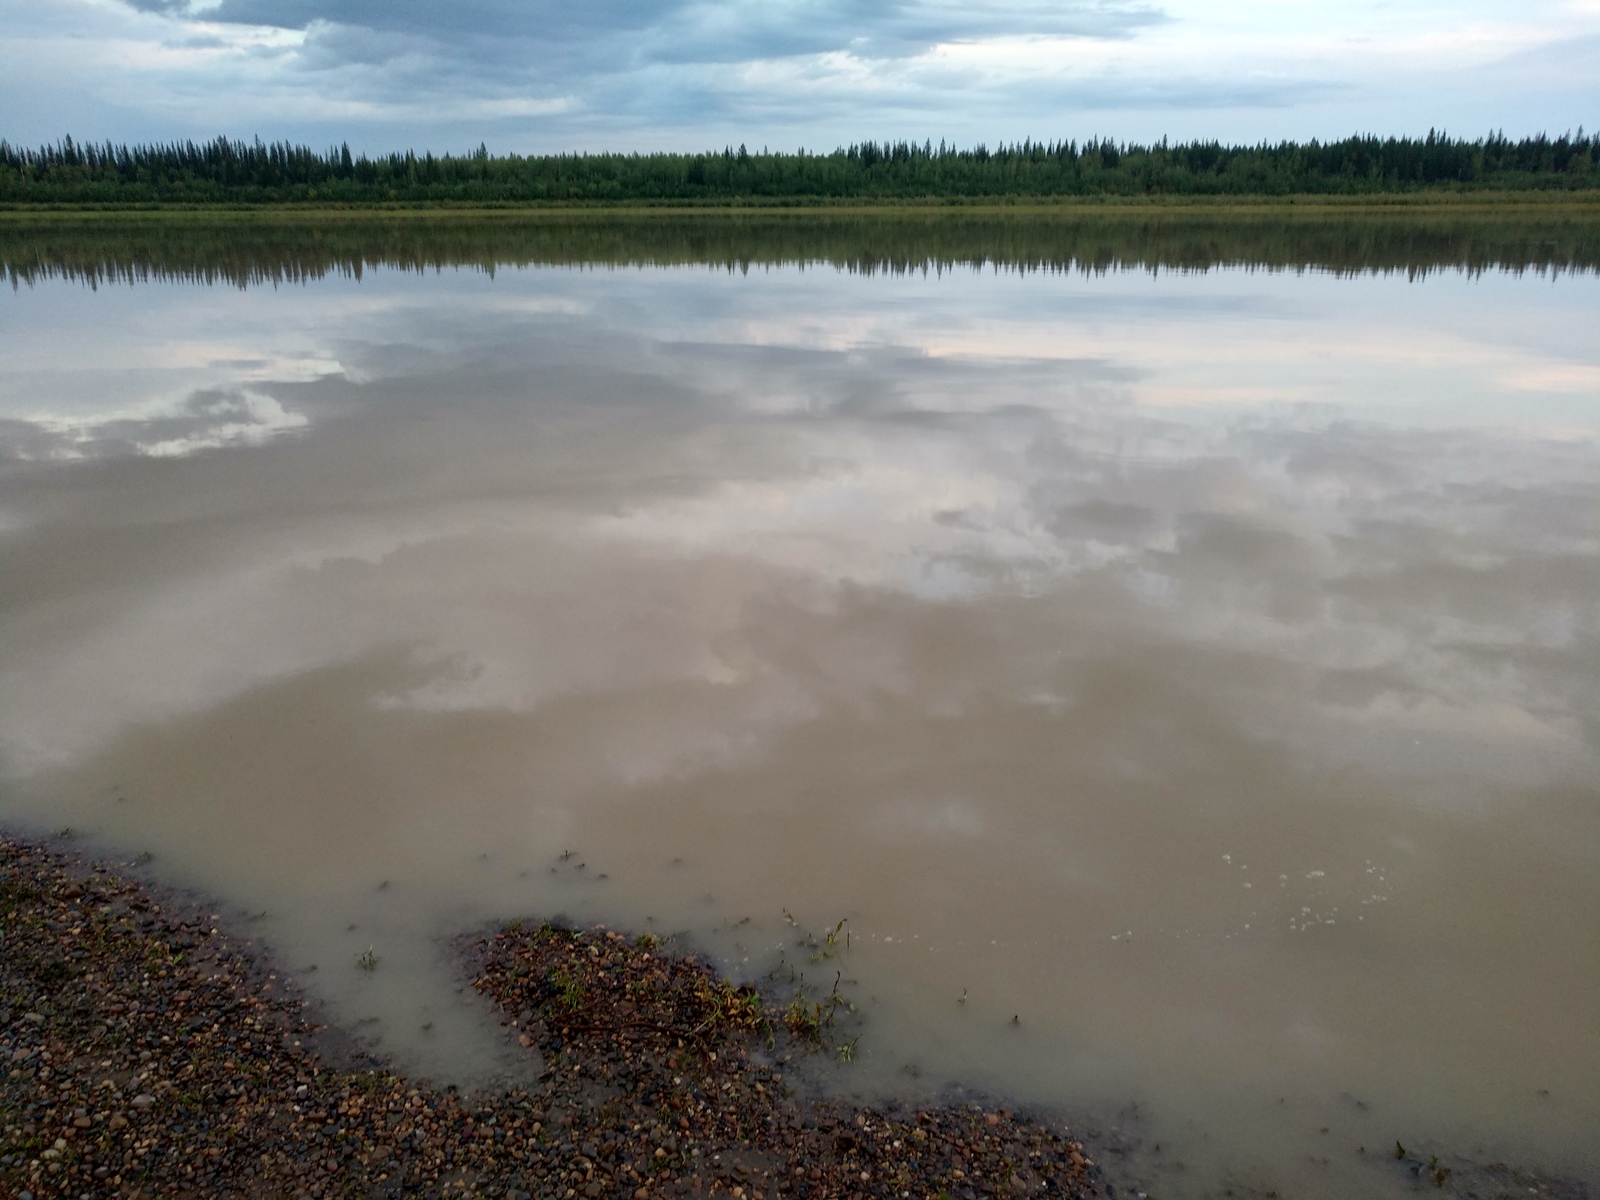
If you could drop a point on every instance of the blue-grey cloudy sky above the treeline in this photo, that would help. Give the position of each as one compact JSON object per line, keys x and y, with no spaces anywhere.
{"x":695,"y":74}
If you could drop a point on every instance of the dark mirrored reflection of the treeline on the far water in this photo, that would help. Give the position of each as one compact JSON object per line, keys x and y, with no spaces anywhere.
{"x":290,"y":247}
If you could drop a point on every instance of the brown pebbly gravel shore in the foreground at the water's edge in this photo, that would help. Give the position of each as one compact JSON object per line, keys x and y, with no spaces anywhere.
{"x":153,"y":1054}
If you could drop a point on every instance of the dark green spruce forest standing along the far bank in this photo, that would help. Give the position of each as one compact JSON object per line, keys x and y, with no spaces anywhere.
{"x":258,"y":174}
